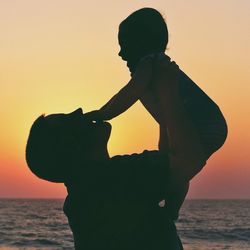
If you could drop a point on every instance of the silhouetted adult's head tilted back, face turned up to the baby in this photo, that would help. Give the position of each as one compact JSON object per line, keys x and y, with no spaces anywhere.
{"x":60,"y":145}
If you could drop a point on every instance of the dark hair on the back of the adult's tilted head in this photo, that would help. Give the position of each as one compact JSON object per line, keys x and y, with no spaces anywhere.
{"x":46,"y":155}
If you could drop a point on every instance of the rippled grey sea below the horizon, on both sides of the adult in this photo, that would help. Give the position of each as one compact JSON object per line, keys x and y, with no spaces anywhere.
{"x":35,"y":224}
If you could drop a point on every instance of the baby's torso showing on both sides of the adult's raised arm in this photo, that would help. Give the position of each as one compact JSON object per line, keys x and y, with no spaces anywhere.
{"x":203,"y":111}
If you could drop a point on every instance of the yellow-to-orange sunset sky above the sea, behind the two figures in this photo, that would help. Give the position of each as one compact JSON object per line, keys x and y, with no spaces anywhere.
{"x":56,"y":56}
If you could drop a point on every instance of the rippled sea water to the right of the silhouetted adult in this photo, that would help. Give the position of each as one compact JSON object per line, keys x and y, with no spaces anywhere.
{"x":215,"y":224}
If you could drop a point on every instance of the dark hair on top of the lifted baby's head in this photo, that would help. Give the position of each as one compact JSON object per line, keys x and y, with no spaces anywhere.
{"x":147,"y":26}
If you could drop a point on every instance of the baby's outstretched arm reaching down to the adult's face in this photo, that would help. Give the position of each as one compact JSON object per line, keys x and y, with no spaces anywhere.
{"x":128,"y":95}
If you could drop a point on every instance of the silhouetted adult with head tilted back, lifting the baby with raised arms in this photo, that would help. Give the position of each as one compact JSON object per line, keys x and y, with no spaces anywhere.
{"x":112,"y":203}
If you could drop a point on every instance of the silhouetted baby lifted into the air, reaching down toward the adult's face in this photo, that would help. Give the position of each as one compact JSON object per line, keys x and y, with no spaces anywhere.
{"x":143,"y":38}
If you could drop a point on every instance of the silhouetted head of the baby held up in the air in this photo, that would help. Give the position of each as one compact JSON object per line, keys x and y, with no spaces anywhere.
{"x":142,"y":33}
